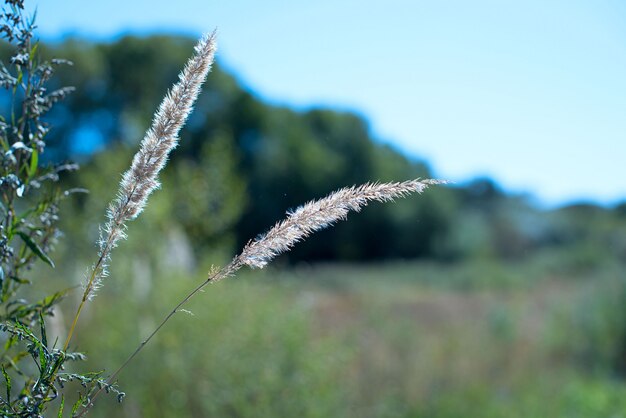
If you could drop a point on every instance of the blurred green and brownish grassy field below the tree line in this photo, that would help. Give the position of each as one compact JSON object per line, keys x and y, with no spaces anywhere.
{"x":387,"y":340}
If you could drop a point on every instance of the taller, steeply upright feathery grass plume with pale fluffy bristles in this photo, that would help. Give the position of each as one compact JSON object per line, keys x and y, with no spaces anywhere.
{"x":141,"y":179}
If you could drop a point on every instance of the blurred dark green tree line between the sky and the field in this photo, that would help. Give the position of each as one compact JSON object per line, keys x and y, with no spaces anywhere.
{"x":242,"y":163}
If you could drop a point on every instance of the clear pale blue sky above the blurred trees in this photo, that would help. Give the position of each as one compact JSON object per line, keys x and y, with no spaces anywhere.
{"x":532,"y":93}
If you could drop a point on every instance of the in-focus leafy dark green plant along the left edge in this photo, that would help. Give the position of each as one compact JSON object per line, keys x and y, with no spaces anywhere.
{"x":30,"y":196}
